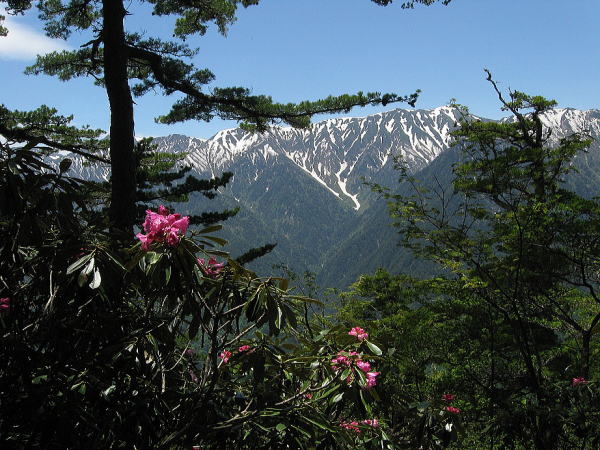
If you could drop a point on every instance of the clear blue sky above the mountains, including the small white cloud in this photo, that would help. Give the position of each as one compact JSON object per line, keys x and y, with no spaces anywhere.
{"x":307,"y":49}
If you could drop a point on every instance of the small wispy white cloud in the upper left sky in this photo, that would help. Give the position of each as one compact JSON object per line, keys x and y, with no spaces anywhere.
{"x":25,"y":43}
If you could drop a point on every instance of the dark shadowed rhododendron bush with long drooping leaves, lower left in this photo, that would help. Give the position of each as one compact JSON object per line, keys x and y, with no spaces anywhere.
{"x":106,"y":347}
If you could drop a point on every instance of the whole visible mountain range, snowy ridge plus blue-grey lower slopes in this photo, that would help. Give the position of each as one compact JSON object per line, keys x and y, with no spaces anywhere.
{"x":305,"y":191}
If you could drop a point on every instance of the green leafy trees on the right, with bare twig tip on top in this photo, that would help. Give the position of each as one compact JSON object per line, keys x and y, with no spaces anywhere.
{"x":514,"y":319}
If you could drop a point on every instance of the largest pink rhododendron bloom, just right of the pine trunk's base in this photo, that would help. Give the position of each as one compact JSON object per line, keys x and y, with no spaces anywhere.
{"x":162,"y":227}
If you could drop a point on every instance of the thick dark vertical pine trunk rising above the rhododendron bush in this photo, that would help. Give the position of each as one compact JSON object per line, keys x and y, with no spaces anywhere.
{"x":123,"y":185}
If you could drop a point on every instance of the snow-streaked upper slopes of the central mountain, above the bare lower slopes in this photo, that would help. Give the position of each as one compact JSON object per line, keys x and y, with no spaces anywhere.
{"x":336,"y":153}
